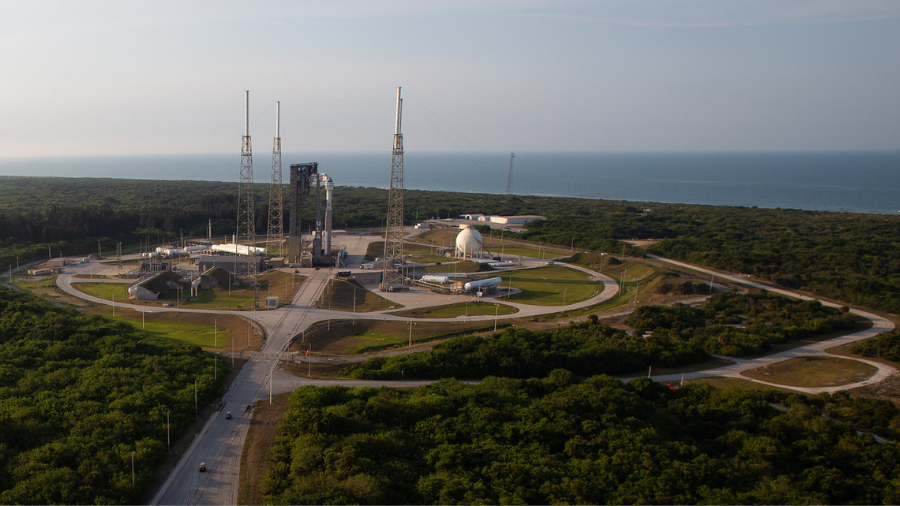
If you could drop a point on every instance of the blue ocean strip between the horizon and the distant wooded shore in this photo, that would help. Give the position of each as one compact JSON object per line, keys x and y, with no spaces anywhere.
{"x":862,"y":182}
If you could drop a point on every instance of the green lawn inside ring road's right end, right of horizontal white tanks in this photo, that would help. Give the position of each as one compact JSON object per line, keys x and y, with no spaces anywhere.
{"x":553,"y":285}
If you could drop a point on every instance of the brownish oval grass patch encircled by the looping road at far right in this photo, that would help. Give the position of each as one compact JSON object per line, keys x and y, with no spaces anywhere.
{"x":813,"y":372}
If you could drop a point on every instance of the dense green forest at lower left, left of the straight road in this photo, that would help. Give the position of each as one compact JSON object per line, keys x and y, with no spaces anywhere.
{"x":80,"y":396}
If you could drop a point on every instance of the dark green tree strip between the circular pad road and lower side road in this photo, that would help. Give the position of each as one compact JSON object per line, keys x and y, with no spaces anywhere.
{"x":665,"y":336}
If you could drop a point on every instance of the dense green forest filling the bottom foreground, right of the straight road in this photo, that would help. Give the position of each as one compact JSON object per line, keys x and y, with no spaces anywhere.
{"x":558,"y":440}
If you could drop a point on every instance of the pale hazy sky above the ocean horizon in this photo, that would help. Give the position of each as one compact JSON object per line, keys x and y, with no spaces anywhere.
{"x":92,"y":77}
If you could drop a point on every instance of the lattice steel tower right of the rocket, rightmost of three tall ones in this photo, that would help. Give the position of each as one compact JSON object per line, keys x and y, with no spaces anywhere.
{"x":393,"y":234}
